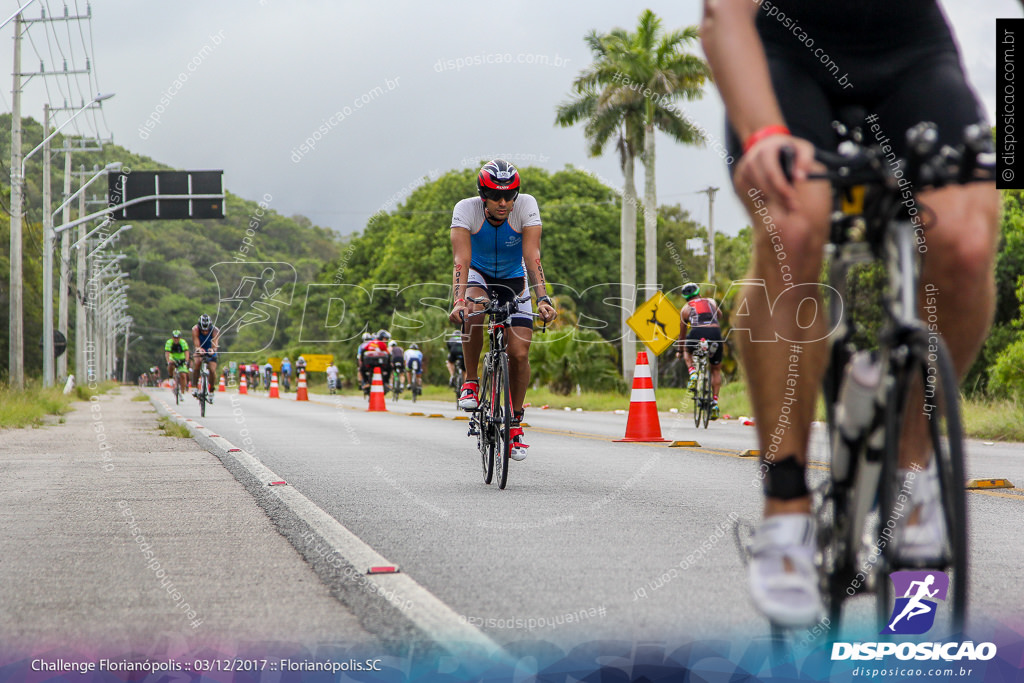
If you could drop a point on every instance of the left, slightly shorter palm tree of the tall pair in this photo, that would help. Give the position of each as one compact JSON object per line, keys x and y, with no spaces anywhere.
{"x":613,"y":113}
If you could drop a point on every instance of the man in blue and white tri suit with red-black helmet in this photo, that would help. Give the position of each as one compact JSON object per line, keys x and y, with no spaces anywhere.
{"x":496,"y":241}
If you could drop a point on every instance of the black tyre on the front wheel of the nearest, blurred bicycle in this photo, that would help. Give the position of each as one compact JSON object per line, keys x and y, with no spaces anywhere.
{"x":950,"y":461}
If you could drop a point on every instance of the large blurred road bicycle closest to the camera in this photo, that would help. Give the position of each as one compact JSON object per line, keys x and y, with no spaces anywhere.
{"x":871,"y":393}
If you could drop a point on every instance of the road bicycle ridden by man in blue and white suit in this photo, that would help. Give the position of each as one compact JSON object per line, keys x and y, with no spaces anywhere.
{"x":492,"y":420}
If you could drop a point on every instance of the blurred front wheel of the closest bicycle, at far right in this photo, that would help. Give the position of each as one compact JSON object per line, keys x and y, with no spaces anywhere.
{"x":928,"y":375}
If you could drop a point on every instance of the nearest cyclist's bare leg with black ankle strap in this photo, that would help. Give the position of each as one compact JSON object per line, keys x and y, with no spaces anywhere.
{"x":788,"y":251}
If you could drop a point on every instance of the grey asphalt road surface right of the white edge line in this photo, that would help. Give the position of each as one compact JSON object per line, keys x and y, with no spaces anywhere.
{"x":592,"y":539}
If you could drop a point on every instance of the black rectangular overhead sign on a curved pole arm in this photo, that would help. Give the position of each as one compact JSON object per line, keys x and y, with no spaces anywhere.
{"x":166,"y":195}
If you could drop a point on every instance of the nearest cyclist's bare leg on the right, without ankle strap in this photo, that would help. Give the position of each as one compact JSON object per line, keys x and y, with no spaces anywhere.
{"x":958,"y":295}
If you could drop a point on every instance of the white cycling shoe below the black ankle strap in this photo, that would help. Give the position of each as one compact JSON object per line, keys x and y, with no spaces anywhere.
{"x":784,"y":579}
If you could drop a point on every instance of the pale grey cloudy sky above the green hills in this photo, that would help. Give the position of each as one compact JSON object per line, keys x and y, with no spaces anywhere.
{"x":388,"y":94}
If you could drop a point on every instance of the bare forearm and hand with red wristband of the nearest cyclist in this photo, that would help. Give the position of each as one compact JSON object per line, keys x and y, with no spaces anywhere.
{"x":738,"y":60}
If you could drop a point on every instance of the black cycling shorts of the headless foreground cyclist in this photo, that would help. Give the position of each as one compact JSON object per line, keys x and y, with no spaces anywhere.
{"x":915,"y":80}
